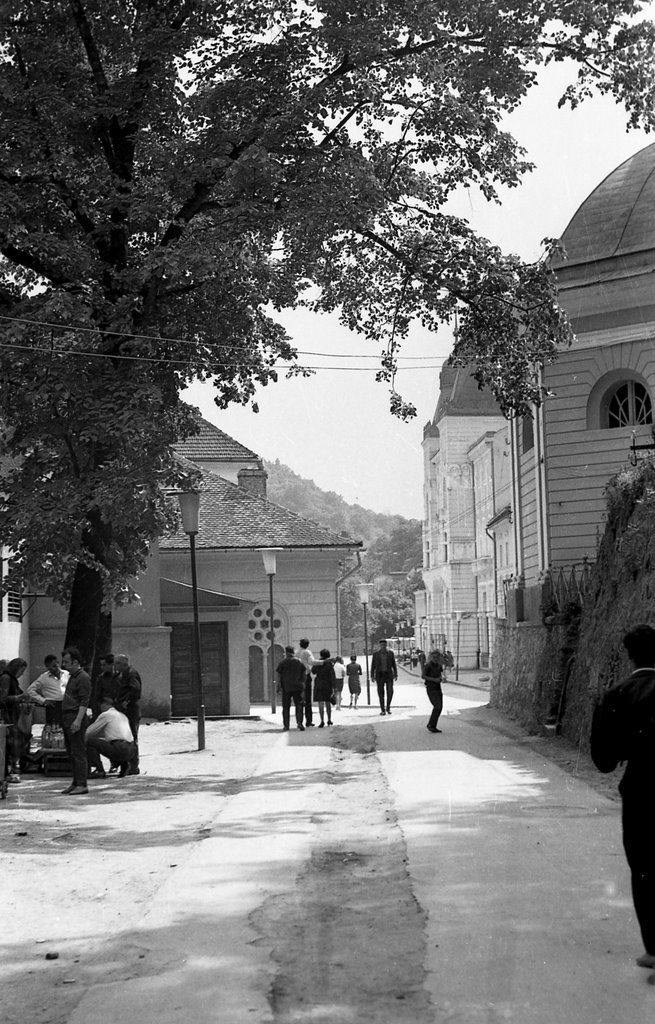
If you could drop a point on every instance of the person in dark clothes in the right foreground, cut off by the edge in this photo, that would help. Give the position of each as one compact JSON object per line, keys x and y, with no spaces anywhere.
{"x":624,"y":731}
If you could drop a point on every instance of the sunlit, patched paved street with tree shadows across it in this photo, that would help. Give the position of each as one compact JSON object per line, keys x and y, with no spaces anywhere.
{"x":372,"y":872}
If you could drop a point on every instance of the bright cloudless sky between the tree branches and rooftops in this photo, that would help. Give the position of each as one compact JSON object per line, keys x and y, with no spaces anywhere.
{"x":336,"y":429}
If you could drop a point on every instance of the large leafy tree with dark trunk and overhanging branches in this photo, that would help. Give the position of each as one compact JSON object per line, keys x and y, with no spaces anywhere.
{"x":174,"y":173}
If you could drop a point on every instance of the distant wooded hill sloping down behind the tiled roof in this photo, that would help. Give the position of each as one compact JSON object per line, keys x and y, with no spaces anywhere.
{"x":330,"y":509}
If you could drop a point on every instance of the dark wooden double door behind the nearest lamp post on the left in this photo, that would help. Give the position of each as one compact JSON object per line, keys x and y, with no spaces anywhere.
{"x":215,"y":670}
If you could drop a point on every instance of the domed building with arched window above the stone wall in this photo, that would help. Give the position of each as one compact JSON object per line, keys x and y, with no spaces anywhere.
{"x":601,"y":390}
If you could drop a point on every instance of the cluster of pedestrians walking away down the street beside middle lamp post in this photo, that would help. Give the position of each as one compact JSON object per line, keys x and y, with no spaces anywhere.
{"x":304,"y":679}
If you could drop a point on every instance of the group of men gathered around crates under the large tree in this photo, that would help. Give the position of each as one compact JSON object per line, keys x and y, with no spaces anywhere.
{"x":100,"y":719}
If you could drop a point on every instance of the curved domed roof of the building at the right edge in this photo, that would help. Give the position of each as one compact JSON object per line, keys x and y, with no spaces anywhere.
{"x":619,"y":218}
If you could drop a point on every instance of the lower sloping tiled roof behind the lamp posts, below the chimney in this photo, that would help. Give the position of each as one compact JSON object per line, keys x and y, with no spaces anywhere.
{"x":233,"y":518}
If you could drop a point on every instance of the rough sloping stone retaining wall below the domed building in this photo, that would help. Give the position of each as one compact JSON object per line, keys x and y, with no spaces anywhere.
{"x":550,"y":675}
